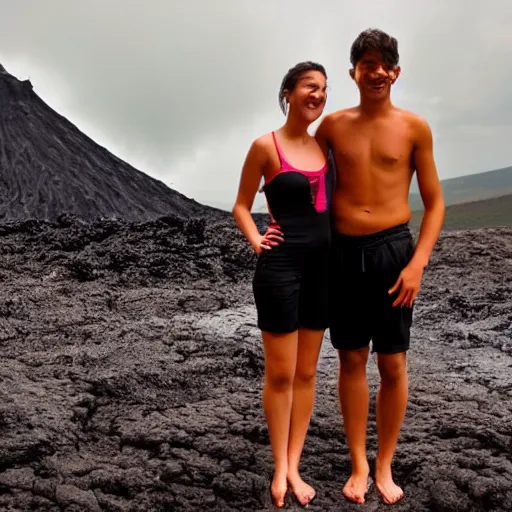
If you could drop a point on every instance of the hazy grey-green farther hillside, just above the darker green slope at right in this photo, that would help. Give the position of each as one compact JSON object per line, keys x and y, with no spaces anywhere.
{"x":474,"y":187}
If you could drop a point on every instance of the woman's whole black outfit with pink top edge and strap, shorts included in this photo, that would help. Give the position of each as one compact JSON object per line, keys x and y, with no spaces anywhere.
{"x":291,"y":280}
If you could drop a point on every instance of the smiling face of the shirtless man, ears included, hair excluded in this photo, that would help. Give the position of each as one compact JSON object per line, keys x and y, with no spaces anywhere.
{"x":373,"y":76}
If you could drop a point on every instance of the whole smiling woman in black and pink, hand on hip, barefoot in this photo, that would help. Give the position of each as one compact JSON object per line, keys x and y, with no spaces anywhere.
{"x":291,"y":277}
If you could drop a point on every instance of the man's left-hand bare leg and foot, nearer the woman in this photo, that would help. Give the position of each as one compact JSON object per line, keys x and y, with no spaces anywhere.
{"x":354,"y":398}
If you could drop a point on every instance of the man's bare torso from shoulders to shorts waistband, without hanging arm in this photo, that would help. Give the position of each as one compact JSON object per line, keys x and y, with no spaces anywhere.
{"x":374,"y":160}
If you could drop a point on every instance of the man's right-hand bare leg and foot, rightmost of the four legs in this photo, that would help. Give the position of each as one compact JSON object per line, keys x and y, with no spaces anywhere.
{"x":391,"y":406}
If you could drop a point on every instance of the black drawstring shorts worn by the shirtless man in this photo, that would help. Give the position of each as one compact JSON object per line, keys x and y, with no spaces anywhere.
{"x":363,"y":269}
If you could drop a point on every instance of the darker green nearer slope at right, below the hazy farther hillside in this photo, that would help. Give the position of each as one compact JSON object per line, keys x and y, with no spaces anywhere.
{"x":495,"y":212}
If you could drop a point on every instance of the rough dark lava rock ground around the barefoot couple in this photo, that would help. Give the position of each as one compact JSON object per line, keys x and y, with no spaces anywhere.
{"x":132,"y":368}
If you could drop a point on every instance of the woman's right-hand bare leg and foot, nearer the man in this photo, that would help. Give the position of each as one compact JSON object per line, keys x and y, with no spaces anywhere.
{"x":303,"y":398}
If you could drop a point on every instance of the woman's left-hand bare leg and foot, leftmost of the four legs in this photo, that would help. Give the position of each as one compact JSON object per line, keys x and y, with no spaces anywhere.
{"x":280,"y":362}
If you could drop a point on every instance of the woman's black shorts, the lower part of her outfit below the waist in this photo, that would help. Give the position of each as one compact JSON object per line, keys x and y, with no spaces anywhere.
{"x":290,"y":288}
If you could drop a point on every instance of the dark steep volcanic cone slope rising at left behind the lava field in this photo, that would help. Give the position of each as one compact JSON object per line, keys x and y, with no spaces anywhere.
{"x":49,"y":167}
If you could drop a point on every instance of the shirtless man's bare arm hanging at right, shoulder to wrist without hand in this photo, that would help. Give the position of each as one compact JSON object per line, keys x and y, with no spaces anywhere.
{"x":431,"y":194}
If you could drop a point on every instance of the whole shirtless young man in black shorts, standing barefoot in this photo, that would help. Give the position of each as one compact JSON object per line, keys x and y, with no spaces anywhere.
{"x":376,"y":270}
